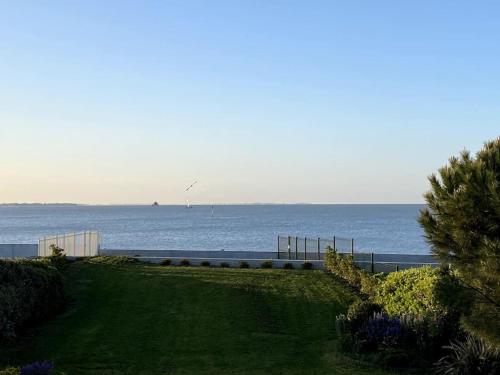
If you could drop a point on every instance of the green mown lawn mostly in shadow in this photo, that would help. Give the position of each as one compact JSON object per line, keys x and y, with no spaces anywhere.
{"x":146,"y":319}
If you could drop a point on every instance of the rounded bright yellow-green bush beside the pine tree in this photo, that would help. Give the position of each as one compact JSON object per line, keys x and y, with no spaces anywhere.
{"x":410,"y":291}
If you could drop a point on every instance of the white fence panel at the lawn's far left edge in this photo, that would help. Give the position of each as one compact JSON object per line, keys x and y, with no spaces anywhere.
{"x":81,"y":244}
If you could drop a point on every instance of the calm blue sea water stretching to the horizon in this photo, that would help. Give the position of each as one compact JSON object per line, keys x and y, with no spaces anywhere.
{"x":377,"y":228}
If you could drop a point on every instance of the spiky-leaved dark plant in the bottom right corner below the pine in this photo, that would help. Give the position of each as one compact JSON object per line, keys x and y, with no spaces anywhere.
{"x":472,"y":356}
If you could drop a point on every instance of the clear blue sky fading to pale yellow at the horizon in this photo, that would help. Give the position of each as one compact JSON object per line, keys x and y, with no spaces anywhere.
{"x":114,"y":102}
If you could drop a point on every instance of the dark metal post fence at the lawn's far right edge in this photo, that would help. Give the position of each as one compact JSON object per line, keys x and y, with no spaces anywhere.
{"x":303,"y":248}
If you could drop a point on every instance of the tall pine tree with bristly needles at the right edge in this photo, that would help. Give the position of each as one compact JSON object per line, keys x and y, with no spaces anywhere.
{"x":462,"y":225}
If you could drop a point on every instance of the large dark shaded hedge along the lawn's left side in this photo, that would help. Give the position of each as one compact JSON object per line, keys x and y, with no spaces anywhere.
{"x":30,"y":291}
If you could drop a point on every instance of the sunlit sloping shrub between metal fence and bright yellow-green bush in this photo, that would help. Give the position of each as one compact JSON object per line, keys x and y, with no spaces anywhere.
{"x":343,"y":267}
